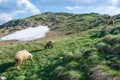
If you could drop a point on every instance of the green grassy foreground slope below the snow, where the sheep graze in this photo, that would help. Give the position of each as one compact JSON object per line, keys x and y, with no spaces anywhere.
{"x":79,"y":57}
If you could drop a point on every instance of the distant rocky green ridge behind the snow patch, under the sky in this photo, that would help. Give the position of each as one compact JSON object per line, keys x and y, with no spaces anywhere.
{"x":68,"y":23}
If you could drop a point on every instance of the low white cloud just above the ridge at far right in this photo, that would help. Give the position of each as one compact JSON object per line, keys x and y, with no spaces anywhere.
{"x":111,"y":10}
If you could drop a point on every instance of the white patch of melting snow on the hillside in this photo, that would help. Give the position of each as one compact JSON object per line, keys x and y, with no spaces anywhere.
{"x":27,"y":34}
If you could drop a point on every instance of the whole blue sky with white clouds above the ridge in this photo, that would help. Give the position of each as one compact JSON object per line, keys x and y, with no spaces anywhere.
{"x":17,"y":9}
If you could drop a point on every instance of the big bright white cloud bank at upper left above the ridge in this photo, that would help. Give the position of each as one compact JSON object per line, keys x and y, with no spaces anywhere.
{"x":16,"y":9}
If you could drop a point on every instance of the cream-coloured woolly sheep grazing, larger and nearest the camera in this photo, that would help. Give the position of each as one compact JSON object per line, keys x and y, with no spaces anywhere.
{"x":21,"y":56}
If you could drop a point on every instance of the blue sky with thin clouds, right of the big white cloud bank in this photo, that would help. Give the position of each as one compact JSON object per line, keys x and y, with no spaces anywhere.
{"x":111,"y":7}
